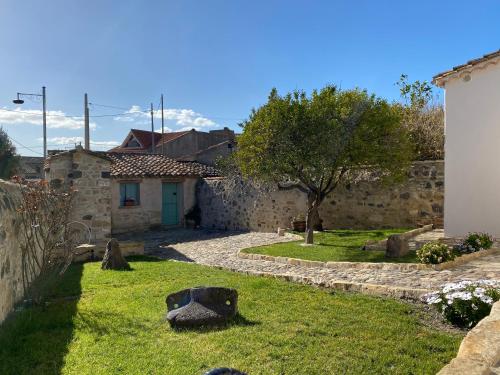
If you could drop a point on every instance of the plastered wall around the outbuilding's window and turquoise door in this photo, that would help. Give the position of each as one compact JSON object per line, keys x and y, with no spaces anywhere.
{"x":148,"y":213}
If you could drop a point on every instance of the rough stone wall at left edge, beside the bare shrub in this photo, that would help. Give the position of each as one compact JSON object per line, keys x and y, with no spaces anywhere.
{"x":11,"y":280}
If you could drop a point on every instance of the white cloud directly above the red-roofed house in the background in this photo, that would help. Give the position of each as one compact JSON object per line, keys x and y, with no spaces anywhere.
{"x":184,"y":118}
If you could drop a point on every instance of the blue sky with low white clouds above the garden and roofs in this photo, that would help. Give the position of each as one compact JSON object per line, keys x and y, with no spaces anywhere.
{"x":215,"y":60}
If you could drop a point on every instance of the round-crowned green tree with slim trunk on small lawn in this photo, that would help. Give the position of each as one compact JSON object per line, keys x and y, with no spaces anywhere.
{"x":320,"y":141}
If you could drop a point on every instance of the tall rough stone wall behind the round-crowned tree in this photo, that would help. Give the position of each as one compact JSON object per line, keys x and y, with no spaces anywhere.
{"x":366,"y":204}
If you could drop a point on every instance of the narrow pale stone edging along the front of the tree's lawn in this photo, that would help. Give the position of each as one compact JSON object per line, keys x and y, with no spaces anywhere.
{"x":369,"y":265}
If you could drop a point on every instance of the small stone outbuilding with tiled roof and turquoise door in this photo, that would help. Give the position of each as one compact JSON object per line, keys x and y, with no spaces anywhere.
{"x":118,"y":192}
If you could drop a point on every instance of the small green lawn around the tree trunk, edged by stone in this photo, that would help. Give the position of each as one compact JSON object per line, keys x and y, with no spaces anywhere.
{"x":336,"y":246}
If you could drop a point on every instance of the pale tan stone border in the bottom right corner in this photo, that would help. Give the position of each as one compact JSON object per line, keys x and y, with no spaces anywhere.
{"x":479,"y":351}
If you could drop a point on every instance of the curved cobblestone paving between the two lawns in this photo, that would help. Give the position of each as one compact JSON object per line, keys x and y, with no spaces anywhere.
{"x":220,"y":249}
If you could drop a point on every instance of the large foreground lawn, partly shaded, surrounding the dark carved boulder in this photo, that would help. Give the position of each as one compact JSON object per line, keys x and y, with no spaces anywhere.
{"x":111,"y":322}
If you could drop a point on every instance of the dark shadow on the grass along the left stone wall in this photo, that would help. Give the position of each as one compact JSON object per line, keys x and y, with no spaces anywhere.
{"x":35,"y":340}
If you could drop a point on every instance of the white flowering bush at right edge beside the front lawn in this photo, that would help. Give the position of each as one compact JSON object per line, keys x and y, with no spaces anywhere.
{"x":465,"y":303}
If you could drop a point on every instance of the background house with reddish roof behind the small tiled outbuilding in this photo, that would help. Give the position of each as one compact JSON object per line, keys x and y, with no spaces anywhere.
{"x":191,"y":145}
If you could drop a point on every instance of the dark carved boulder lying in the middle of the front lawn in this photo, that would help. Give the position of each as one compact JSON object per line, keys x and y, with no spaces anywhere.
{"x":202,"y":306}
